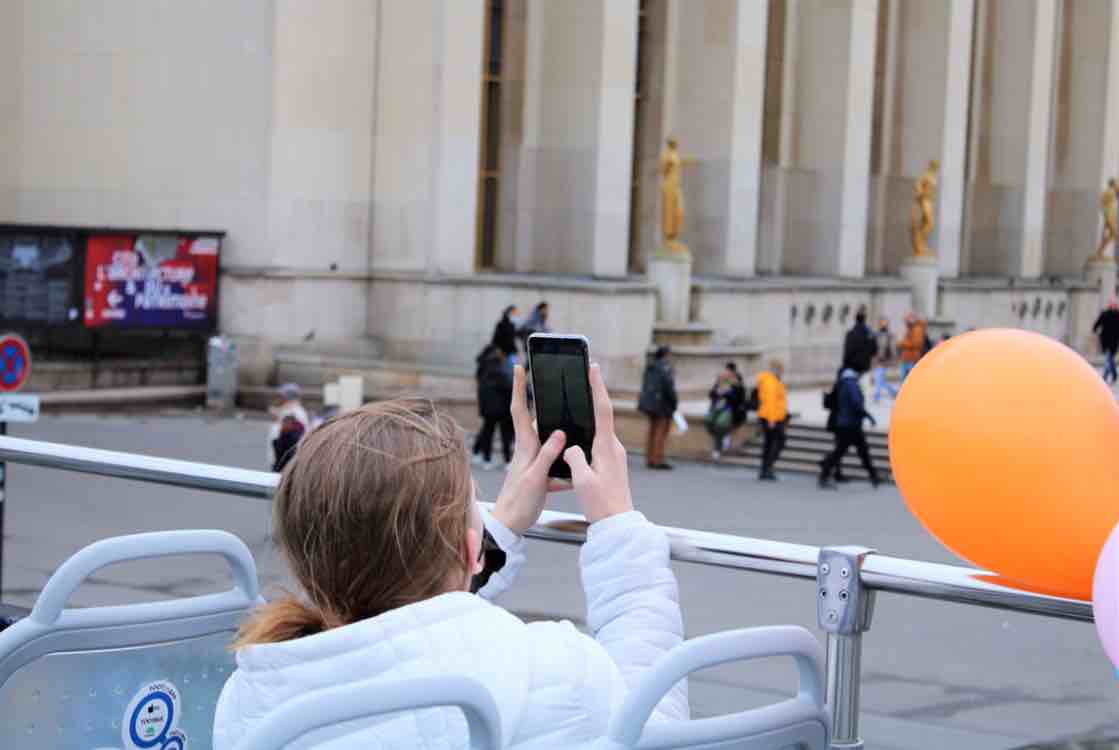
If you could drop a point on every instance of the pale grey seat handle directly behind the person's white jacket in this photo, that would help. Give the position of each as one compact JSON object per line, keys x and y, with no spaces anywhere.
{"x":373,"y":698}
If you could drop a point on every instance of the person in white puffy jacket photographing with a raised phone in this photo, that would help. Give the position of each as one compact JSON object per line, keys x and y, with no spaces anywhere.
{"x":377,"y":518}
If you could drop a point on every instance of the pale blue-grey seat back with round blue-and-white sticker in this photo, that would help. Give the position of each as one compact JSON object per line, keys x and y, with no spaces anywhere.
{"x":137,"y":677}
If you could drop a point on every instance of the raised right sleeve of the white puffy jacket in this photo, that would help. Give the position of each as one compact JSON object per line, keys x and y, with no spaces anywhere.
{"x":633,"y":604}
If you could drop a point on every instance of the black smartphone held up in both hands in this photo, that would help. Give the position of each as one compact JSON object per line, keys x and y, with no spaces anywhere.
{"x":560,"y":367}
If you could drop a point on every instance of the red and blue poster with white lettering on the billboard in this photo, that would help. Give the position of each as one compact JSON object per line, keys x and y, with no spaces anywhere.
{"x":152,"y":282}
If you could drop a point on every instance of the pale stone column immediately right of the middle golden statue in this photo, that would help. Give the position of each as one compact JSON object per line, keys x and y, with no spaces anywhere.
{"x":954,"y":155}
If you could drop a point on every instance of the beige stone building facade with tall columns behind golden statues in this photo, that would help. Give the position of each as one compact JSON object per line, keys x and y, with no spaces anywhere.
{"x":391,"y":174}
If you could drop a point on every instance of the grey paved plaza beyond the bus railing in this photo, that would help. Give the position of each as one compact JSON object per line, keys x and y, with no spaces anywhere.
{"x":936,"y":676}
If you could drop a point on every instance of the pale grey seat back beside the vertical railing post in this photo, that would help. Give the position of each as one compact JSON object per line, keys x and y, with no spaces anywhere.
{"x":800,"y":724}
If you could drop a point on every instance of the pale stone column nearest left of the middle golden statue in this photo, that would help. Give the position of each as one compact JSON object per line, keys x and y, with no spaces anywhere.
{"x":857,"y":170}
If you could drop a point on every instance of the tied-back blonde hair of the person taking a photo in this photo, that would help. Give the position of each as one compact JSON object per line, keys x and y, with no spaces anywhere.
{"x":371,"y":515}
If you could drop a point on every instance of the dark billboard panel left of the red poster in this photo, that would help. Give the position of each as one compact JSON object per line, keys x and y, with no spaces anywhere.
{"x":39,"y":277}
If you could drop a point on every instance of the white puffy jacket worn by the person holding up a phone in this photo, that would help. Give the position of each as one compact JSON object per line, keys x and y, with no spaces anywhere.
{"x":554,"y":687}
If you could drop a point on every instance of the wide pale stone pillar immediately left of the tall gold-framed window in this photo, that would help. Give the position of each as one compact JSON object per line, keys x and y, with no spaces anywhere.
{"x":426,"y":163}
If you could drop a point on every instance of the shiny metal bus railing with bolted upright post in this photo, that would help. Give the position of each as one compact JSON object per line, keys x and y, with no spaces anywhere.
{"x":876,"y":574}
